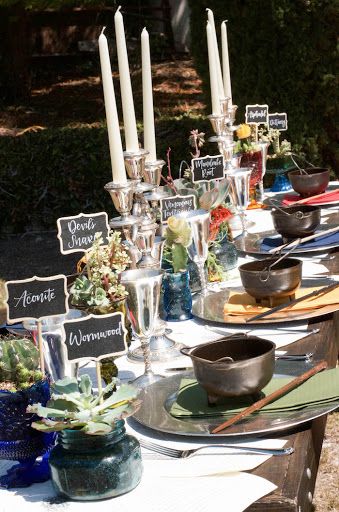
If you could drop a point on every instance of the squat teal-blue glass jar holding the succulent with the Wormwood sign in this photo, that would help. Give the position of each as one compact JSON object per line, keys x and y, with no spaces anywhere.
{"x":86,"y":467}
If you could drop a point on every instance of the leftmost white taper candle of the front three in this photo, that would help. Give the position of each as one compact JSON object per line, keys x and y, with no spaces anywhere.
{"x":114,"y":137}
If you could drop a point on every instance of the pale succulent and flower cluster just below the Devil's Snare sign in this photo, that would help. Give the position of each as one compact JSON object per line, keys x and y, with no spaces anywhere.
{"x":101,"y":288}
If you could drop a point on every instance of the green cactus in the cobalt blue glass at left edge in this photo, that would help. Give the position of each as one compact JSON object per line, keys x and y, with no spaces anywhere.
{"x":19,"y":363}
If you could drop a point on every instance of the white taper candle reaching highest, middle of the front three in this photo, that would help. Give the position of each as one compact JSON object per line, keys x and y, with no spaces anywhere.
{"x":131,"y":135}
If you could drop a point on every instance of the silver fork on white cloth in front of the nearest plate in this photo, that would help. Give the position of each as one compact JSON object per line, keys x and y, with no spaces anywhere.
{"x":184,"y":454}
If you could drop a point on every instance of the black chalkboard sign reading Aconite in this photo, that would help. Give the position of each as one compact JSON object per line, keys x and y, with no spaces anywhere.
{"x":36,"y":298}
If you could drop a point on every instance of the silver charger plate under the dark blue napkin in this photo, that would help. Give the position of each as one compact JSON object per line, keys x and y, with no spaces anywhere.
{"x":251,"y":243}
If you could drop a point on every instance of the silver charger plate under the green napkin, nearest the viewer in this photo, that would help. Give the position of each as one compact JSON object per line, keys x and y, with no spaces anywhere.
{"x":156,"y":401}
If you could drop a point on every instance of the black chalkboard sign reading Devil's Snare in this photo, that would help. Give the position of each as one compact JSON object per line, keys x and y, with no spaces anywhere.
{"x":76,"y":234}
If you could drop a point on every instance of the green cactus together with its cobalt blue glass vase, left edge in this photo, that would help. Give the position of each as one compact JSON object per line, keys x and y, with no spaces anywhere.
{"x":21,"y":384}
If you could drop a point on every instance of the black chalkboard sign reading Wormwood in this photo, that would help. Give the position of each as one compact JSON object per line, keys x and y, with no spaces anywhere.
{"x":95,"y":337}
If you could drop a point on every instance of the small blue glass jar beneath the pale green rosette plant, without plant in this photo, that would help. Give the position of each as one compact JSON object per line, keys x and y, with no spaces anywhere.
{"x":177,"y":297}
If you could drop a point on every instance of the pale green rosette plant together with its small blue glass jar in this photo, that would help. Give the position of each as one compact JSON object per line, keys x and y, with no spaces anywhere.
{"x":177,"y":297}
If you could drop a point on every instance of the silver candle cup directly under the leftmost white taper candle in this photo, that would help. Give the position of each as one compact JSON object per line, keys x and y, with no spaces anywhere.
{"x":122,"y":197}
